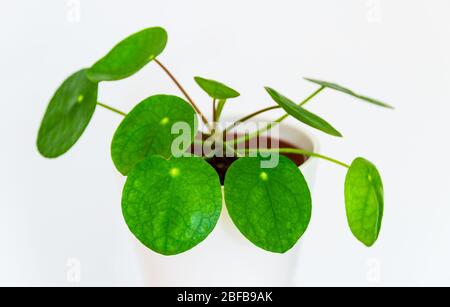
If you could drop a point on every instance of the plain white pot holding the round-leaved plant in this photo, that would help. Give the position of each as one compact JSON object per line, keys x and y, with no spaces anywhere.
{"x":226,"y":257}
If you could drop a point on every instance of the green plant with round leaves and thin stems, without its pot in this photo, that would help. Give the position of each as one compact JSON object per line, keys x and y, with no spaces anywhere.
{"x":172,"y":202}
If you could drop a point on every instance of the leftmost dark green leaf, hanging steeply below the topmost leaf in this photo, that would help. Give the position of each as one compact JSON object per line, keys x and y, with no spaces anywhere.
{"x":67,"y":115}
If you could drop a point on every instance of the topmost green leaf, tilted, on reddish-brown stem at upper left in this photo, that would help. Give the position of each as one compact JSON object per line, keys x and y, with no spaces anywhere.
{"x":130,"y":55}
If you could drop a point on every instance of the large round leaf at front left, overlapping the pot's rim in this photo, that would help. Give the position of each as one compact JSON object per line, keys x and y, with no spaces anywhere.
{"x":172,"y":205}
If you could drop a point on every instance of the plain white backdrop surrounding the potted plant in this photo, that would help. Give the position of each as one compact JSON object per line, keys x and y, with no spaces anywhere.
{"x":396,"y":50}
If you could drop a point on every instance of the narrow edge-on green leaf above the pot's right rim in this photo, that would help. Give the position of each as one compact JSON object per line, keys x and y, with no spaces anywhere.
{"x":302,"y":114}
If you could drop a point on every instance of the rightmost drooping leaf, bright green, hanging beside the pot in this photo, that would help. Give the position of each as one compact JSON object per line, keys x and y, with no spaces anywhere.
{"x":364,"y":200}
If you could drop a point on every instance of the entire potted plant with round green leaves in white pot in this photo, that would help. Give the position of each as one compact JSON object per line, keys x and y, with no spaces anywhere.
{"x":186,"y":178}
